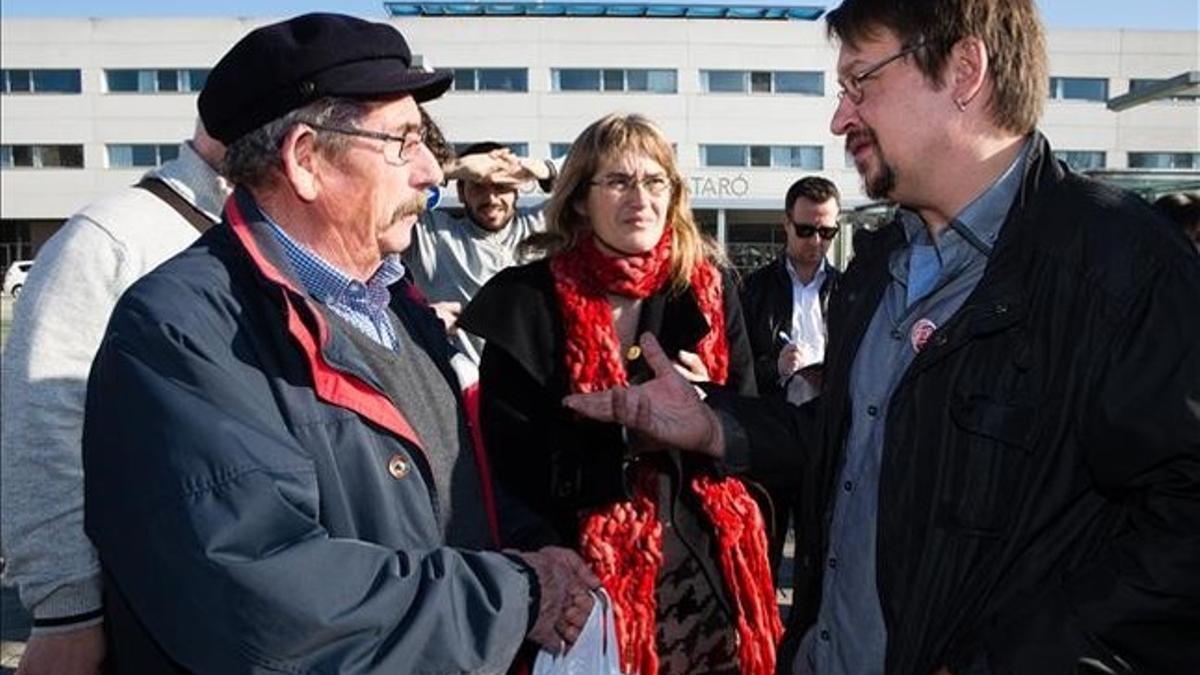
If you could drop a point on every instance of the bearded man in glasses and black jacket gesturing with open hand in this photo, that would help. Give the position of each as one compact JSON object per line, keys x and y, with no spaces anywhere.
{"x":1003,"y":474}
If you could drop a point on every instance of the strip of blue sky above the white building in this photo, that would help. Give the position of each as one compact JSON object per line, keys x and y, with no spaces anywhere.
{"x":1165,"y":15}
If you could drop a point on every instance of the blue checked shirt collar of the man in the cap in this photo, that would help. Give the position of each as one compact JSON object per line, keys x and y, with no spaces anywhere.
{"x":364,"y":306}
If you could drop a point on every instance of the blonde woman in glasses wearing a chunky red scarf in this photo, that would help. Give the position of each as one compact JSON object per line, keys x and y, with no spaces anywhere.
{"x":679,"y":545}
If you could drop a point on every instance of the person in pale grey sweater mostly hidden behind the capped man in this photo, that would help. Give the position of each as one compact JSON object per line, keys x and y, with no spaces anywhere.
{"x":58,"y":325}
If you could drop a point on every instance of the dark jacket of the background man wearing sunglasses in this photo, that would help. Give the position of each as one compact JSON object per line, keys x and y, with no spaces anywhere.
{"x":767,"y":303}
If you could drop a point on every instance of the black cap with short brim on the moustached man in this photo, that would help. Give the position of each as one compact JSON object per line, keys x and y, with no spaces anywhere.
{"x":280,"y":68}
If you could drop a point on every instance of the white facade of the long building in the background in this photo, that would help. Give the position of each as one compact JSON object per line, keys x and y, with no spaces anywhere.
{"x":543,"y":117}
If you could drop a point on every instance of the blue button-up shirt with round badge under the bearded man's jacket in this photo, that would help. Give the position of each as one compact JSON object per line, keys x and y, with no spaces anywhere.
{"x":849,"y":637}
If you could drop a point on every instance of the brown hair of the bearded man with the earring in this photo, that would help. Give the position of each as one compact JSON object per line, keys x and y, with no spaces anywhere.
{"x":1010,"y":29}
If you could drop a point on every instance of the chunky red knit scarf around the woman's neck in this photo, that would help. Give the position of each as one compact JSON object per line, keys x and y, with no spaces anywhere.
{"x":623,"y":542}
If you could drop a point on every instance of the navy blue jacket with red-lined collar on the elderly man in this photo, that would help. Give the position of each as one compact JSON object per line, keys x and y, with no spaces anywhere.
{"x":257,"y":503}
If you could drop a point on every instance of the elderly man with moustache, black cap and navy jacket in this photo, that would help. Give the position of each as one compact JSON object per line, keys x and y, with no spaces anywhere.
{"x":280,"y":474}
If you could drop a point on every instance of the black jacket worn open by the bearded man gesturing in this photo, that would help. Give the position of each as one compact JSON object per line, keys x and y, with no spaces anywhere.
{"x":1040,"y":491}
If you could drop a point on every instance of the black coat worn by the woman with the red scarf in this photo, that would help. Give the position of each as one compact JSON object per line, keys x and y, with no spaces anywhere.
{"x":545,"y":455}
